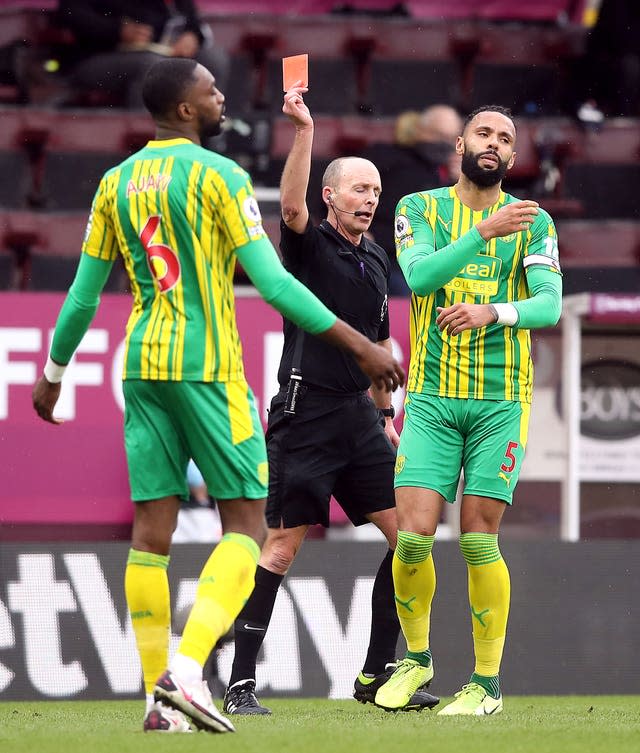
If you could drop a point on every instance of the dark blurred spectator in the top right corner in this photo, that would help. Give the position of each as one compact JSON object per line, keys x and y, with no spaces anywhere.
{"x":608,"y":76}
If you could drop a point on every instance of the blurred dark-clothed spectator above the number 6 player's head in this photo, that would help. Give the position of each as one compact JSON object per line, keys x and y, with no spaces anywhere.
{"x":116,"y":41}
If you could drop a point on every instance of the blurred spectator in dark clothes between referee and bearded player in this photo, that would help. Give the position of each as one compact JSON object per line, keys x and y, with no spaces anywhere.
{"x":421,"y":157}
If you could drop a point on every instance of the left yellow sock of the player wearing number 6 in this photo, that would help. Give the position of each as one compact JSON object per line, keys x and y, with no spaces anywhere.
{"x":147,"y":591}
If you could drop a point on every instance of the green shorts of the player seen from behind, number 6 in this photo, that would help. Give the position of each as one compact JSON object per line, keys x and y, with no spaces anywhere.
{"x":215,"y":423}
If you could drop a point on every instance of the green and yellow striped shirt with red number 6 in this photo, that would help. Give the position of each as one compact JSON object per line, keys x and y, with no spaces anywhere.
{"x":176,"y":213}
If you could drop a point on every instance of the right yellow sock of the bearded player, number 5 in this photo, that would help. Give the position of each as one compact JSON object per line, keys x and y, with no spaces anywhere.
{"x":489,"y":598}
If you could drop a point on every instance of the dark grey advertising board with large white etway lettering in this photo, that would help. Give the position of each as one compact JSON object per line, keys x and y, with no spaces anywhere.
{"x":65,"y":632}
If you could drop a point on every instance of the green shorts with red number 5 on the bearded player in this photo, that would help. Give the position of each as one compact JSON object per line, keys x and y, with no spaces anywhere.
{"x":441,"y":436}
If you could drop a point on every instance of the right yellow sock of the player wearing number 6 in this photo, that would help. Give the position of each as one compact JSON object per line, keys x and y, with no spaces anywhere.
{"x":224,"y":586}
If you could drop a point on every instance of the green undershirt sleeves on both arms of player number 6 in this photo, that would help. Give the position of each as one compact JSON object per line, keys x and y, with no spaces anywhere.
{"x":261,"y":263}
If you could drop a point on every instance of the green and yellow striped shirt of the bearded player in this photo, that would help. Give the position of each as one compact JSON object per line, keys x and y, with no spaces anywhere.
{"x":494,"y":362}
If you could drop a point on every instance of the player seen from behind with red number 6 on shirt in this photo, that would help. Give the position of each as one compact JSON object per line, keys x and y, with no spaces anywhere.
{"x":180,"y":215}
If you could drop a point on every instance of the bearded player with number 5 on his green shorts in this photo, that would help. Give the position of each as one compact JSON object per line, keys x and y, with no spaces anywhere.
{"x":483,"y":269}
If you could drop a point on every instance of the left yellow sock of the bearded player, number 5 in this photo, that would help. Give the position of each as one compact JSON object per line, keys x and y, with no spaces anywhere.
{"x":414,"y":580}
